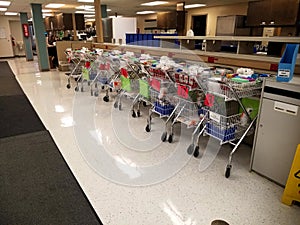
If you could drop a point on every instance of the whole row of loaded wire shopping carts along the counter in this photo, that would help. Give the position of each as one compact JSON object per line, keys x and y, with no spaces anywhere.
{"x":205,"y":99}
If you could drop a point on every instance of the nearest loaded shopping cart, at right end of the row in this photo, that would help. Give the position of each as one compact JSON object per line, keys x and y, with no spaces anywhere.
{"x":225,"y":117}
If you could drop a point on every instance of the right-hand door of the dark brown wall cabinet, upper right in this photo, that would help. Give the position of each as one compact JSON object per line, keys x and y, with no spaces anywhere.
{"x":284,"y":12}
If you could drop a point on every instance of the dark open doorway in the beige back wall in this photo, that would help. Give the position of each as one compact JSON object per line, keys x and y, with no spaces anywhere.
{"x":199,"y":28}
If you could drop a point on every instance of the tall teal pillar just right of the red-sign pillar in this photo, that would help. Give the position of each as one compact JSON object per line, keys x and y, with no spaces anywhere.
{"x":39,"y":29}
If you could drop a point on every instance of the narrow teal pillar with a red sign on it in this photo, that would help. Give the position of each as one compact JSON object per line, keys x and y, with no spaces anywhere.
{"x":26,"y":36}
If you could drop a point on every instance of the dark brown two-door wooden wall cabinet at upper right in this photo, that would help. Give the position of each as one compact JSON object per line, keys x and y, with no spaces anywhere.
{"x":273,"y":12}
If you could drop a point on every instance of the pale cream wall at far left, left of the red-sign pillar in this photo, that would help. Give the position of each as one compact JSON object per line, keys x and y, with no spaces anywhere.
{"x":6,"y":49}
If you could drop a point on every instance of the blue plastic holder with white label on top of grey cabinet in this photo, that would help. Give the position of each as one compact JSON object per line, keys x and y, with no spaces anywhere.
{"x":287,"y":63}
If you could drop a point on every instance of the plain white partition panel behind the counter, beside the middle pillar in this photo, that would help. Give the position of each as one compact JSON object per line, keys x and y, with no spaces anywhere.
{"x":123,"y":25}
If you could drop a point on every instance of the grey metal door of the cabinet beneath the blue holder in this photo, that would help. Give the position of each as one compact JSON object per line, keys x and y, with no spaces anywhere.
{"x":277,"y":140}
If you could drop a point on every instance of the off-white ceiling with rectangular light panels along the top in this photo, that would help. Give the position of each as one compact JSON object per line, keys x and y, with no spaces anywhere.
{"x":121,"y":7}
